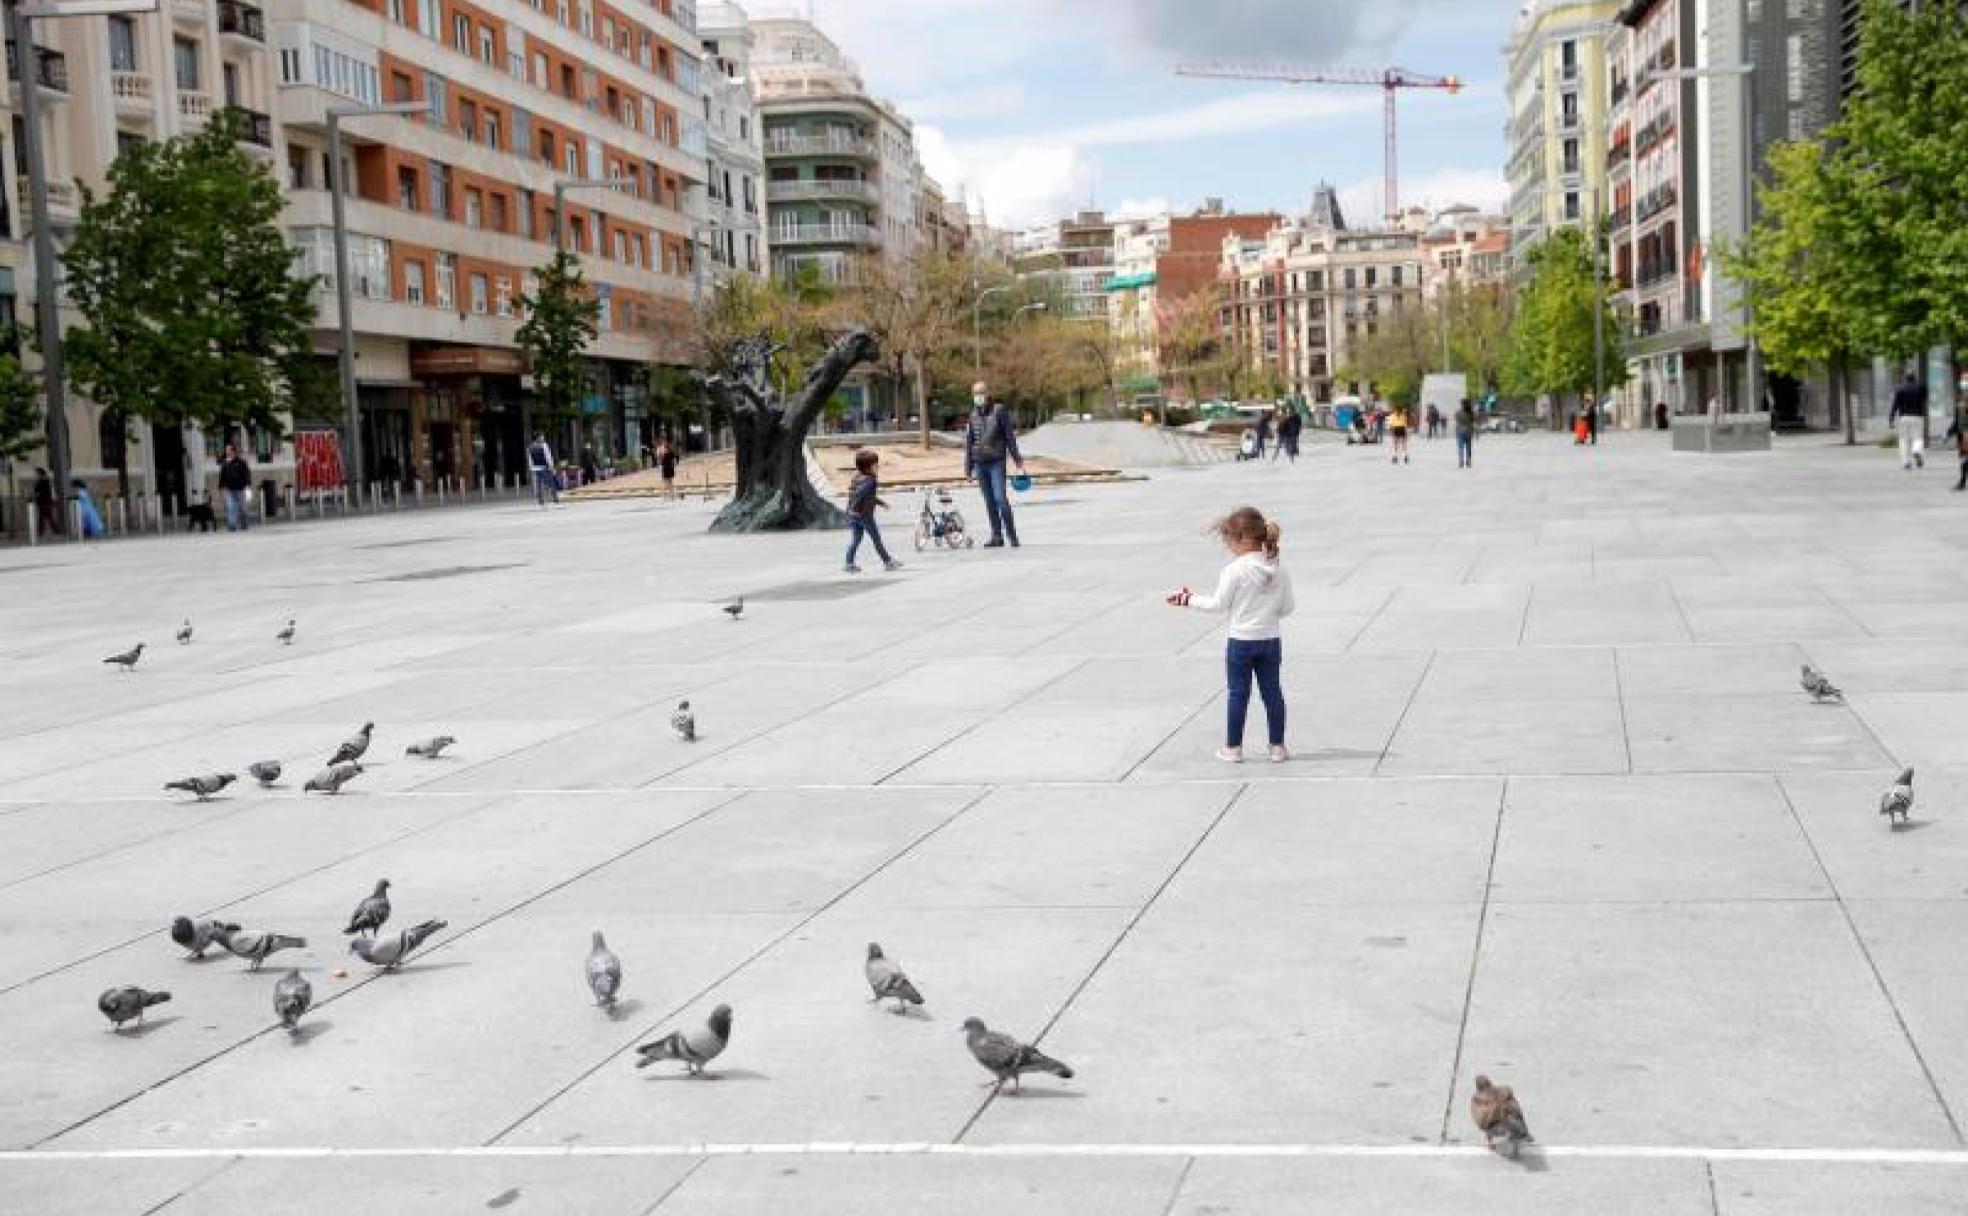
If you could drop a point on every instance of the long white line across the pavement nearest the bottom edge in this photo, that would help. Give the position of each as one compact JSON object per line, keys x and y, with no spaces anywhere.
{"x":1949,"y":1158}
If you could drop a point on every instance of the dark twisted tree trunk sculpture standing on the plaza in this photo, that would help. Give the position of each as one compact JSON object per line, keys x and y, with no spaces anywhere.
{"x":774,"y":493}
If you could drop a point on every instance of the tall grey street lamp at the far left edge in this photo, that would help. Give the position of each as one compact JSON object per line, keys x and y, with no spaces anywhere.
{"x":46,"y":310}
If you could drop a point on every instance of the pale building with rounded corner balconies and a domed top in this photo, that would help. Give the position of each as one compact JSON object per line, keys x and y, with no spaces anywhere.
{"x":843,"y":176}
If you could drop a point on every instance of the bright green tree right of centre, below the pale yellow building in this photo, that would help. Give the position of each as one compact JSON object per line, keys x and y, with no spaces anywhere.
{"x":1552,"y":334}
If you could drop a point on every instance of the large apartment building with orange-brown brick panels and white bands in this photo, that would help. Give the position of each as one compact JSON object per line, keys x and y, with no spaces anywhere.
{"x":452,"y":213}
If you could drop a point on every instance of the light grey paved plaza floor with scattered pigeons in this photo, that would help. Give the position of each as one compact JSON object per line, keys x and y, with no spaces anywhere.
{"x":1558,"y":814}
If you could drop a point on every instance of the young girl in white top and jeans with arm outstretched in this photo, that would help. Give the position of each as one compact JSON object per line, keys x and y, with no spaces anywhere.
{"x":1255,"y":593}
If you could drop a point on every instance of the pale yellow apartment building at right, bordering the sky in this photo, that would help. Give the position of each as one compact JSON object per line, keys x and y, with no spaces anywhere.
{"x":1558,"y":91}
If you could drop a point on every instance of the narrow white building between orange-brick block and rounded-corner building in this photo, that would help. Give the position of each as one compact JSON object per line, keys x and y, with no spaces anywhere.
{"x":733,"y":223}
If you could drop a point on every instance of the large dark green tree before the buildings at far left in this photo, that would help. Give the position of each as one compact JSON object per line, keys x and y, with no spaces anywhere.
{"x":192,"y":312}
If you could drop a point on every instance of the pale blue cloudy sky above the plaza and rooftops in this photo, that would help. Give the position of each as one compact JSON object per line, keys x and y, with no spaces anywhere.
{"x":1042,"y":107}
